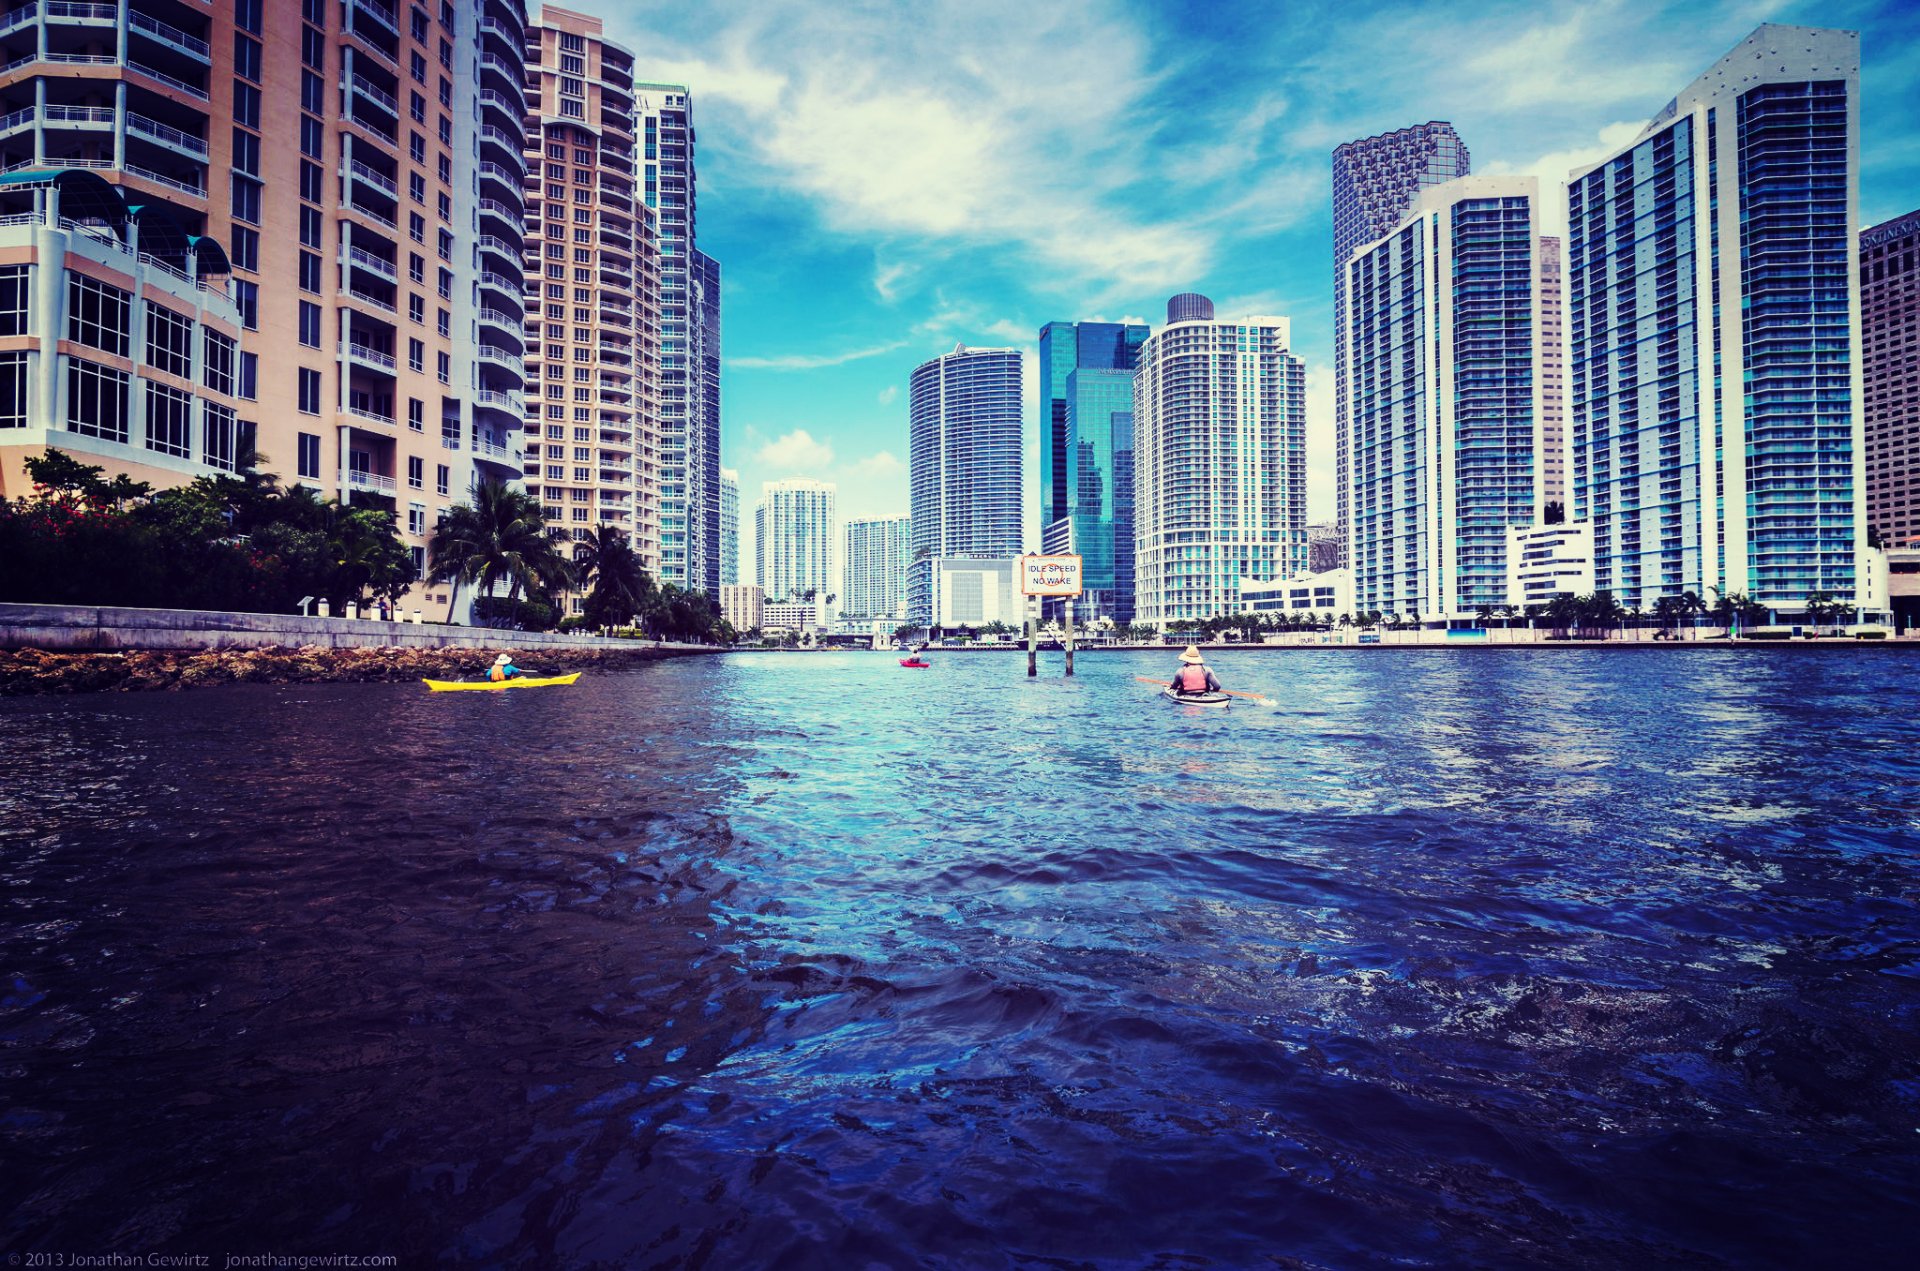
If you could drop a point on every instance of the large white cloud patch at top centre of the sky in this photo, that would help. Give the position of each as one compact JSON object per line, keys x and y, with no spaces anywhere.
{"x":988,"y":126}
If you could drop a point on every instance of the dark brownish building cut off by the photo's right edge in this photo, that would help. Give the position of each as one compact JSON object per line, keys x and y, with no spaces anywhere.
{"x":1890,"y":345}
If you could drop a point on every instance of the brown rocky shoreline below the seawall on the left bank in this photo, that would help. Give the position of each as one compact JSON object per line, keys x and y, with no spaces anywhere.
{"x":39,"y":671}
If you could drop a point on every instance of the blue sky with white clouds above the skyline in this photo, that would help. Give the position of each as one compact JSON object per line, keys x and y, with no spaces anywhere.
{"x":882,"y":181}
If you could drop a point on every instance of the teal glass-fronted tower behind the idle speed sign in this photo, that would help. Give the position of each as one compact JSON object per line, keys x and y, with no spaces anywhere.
{"x":1088,"y":458}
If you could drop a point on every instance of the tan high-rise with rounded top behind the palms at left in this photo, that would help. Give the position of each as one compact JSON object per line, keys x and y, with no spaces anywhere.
{"x":592,"y":291}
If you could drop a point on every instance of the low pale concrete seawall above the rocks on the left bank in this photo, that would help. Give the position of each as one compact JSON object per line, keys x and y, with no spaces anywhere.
{"x":103,"y":629}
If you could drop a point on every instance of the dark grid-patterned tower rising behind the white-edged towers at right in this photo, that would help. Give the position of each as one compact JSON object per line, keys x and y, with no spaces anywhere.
{"x":1374,"y":187}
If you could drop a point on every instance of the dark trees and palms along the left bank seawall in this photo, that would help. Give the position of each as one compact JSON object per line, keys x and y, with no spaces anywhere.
{"x":247,"y":544}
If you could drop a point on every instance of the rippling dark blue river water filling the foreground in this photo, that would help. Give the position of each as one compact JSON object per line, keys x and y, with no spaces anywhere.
{"x":1568,"y":959}
